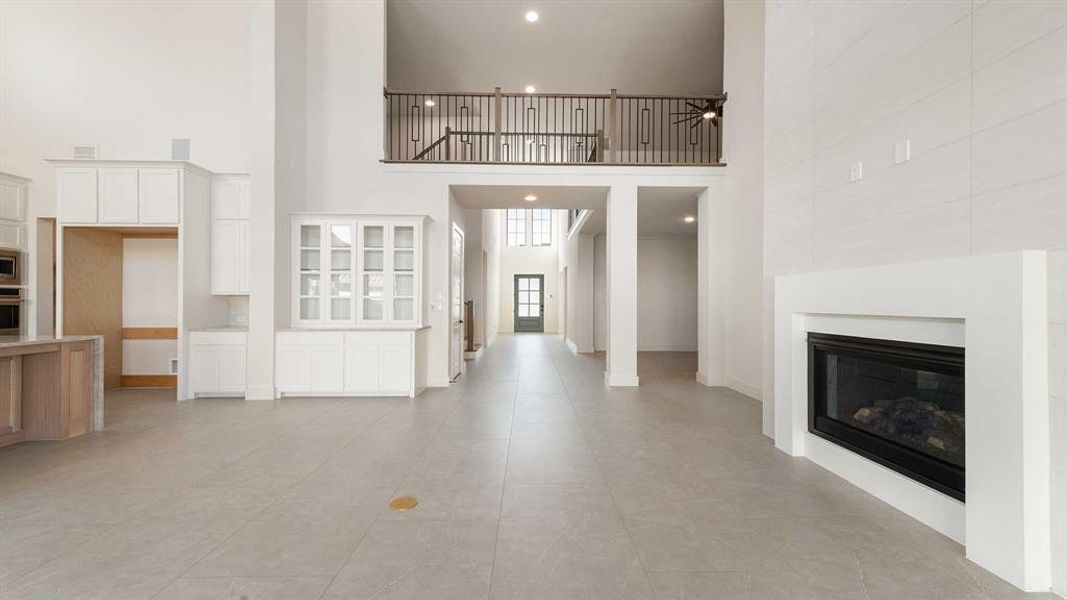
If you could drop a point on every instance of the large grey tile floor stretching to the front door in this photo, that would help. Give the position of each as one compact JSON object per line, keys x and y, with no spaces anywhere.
{"x":534,"y":481}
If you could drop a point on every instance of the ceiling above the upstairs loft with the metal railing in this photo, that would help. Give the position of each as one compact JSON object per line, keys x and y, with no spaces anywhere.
{"x":578,"y":46}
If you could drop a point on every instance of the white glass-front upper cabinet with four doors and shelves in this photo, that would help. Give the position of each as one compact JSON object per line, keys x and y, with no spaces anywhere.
{"x":358,"y":272}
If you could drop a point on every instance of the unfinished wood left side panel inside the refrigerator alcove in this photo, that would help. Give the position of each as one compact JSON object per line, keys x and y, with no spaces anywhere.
{"x":93,"y":293}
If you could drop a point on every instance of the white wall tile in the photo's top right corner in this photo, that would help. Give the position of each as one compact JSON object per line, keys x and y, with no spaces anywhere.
{"x":1004,"y":26}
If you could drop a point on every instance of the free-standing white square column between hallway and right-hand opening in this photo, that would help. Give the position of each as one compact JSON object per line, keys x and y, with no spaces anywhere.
{"x":623,"y":288}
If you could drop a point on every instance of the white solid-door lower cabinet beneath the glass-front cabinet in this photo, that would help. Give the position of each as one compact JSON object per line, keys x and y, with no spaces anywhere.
{"x":359,"y":364}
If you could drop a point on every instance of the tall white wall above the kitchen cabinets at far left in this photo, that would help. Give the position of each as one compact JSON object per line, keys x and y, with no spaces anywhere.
{"x":126,"y":76}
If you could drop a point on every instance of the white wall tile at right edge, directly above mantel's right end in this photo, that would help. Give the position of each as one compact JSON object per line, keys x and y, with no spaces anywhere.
{"x":1031,"y":216}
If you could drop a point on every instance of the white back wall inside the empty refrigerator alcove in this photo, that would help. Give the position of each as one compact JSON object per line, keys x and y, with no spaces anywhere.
{"x":150,"y":299}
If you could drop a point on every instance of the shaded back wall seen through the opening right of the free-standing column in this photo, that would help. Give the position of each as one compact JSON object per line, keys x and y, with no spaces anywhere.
{"x":667,"y":294}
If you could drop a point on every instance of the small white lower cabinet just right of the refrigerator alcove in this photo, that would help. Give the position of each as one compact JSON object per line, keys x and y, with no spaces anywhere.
{"x":217,"y":364}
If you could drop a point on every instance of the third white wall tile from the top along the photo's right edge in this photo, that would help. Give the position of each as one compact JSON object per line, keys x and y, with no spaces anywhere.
{"x":1031,"y":148}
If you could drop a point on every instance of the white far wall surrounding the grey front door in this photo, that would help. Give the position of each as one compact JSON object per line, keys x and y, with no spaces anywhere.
{"x":530,"y":260}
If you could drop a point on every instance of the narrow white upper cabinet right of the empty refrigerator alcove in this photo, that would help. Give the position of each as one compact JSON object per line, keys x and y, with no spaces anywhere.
{"x":231,"y":214}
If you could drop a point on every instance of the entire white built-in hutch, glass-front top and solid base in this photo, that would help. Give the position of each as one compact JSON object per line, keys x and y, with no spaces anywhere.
{"x":361,"y":277}
